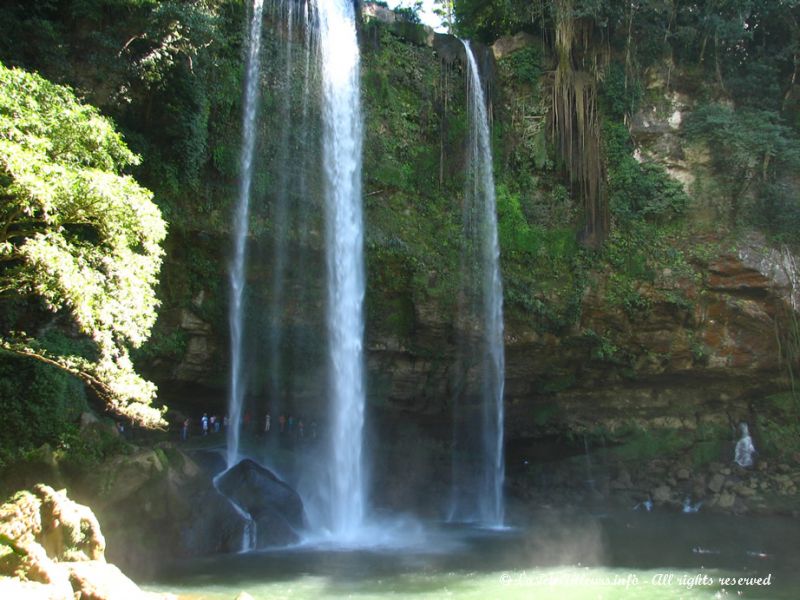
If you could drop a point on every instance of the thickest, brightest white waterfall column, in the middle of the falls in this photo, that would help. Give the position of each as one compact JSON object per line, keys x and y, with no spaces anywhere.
{"x":342,"y":140}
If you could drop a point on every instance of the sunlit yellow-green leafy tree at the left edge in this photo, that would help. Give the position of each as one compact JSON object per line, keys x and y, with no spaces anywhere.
{"x":77,"y":234}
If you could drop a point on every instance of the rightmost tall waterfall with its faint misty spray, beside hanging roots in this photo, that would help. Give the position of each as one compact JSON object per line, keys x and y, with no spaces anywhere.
{"x":478,"y":486}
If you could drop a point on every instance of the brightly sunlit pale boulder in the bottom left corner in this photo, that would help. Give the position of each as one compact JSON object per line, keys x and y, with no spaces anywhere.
{"x":52,"y":547}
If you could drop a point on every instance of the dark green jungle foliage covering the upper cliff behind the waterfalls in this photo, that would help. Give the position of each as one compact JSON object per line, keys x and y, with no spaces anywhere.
{"x":169,"y":75}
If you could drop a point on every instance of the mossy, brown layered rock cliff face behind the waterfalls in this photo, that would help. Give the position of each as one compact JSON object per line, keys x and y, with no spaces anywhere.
{"x":678,"y":328}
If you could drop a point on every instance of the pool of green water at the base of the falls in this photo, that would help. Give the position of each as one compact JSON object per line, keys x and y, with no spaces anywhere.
{"x":623,"y":556}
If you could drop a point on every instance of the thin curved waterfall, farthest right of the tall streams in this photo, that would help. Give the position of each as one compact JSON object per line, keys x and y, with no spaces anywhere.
{"x":480,"y":198}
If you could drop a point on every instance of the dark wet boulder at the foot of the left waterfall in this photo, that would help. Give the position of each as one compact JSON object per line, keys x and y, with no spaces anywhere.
{"x":274,"y":506}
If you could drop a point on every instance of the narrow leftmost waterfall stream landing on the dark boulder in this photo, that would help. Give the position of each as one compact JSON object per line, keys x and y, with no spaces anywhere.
{"x":237,"y":272}
